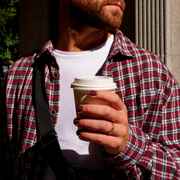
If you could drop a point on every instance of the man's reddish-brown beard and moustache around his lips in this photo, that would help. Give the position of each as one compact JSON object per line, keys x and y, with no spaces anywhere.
{"x":91,"y":13}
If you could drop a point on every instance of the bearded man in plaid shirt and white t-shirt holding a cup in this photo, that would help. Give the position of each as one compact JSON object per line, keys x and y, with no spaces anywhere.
{"x":136,"y":137}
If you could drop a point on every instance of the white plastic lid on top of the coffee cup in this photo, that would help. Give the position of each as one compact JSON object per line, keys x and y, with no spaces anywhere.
{"x":95,"y":82}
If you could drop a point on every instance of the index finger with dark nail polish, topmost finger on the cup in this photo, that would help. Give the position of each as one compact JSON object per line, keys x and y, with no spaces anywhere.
{"x":111,"y":98}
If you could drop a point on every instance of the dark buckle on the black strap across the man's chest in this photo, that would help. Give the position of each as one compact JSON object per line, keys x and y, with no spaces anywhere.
{"x":48,"y":138}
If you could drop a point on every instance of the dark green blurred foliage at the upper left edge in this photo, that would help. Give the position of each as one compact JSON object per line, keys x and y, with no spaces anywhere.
{"x":9,"y":30}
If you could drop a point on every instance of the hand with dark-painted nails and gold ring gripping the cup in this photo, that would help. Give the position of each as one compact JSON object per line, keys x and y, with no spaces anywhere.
{"x":98,"y":122}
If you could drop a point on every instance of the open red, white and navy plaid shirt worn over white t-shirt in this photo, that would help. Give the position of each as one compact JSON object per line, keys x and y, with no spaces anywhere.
{"x":144,"y":84}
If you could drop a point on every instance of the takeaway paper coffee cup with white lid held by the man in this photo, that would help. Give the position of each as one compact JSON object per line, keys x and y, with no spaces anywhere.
{"x":83,"y":85}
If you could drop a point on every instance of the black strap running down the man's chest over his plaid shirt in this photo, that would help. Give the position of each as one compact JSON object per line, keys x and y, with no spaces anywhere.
{"x":48,"y":136}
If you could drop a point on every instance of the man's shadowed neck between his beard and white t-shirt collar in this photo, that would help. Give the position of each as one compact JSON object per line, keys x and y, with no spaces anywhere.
{"x":74,"y":36}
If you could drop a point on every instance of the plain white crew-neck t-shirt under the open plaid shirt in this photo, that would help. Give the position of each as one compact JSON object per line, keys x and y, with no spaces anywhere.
{"x":74,"y":64}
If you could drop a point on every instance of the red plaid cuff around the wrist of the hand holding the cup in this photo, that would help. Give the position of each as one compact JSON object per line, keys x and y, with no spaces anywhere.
{"x":134,"y":151}
